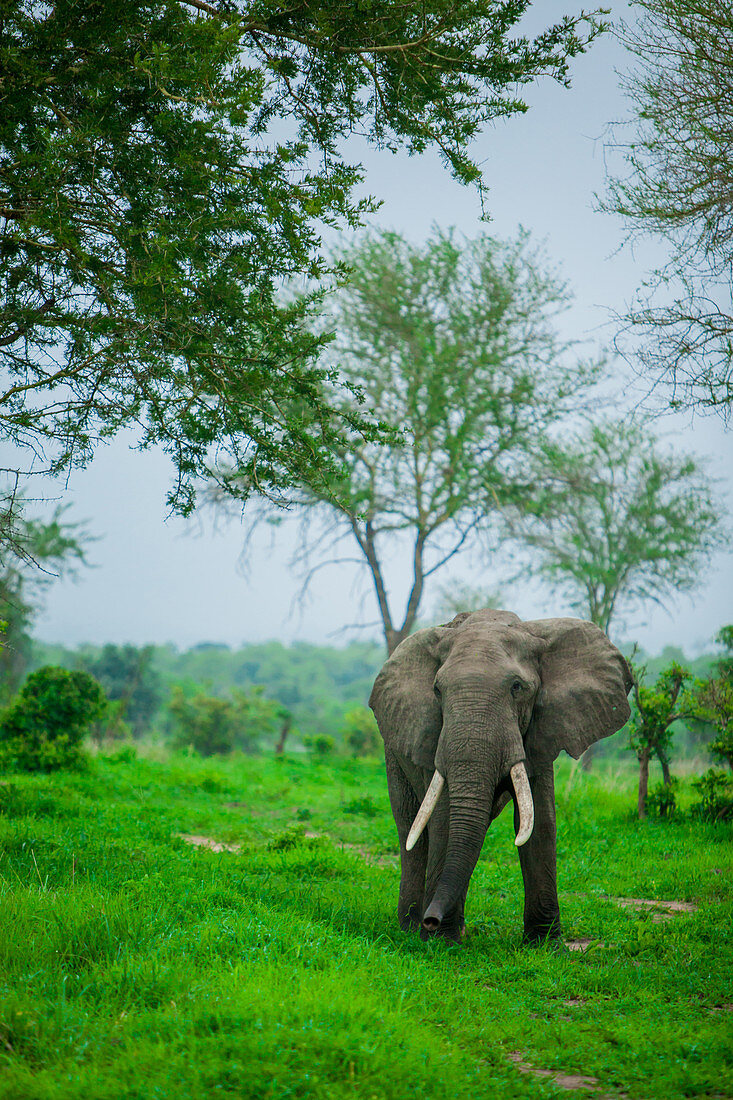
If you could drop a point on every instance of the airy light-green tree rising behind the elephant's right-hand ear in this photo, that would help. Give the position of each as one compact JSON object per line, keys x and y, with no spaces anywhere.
{"x":616,"y":521}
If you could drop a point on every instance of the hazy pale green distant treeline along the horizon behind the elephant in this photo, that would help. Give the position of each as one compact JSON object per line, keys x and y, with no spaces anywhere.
{"x":318,"y":685}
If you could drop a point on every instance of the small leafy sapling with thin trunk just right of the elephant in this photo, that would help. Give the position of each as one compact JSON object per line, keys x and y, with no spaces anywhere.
{"x":654,"y":713}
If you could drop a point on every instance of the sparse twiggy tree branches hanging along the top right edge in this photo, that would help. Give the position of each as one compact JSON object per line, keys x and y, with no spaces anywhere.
{"x":677,"y":186}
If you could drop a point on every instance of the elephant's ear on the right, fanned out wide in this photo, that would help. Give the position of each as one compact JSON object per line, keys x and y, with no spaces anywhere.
{"x":583,"y":696}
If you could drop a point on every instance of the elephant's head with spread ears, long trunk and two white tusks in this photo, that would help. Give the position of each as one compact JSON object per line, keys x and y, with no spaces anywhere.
{"x":485,"y":703}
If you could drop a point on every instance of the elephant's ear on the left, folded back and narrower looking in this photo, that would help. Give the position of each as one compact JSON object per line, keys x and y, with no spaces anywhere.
{"x":404,"y":701}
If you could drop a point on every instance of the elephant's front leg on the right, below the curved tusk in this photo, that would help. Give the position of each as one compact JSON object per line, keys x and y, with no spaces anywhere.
{"x":539,"y":862}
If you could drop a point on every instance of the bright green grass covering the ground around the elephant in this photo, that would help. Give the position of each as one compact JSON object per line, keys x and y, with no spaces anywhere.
{"x":134,"y":965}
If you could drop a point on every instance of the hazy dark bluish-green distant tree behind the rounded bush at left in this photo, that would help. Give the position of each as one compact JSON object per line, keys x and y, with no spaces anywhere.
{"x":129,"y":678}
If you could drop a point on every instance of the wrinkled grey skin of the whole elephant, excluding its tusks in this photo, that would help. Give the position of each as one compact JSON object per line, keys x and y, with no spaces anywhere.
{"x":472,"y":699}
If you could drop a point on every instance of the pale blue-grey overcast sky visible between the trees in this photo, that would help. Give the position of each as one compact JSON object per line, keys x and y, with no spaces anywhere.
{"x":157,"y":579}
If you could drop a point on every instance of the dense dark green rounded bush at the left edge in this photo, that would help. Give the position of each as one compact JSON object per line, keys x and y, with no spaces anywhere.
{"x":45,"y":728}
